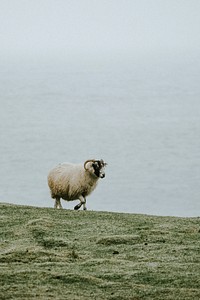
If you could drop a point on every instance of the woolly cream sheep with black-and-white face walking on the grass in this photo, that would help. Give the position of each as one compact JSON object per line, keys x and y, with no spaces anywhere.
{"x":75,"y":181}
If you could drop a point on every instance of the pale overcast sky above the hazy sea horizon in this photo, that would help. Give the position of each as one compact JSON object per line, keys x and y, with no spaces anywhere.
{"x":98,"y":27}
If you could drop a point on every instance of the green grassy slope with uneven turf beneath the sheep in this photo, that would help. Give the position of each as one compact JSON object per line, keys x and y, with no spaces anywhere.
{"x":63,"y":254}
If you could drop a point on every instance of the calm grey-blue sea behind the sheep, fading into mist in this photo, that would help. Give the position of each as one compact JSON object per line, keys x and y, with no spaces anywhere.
{"x":143,"y":118}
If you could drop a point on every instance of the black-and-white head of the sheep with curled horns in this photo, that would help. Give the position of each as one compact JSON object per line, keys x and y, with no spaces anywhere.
{"x":96,"y":167}
